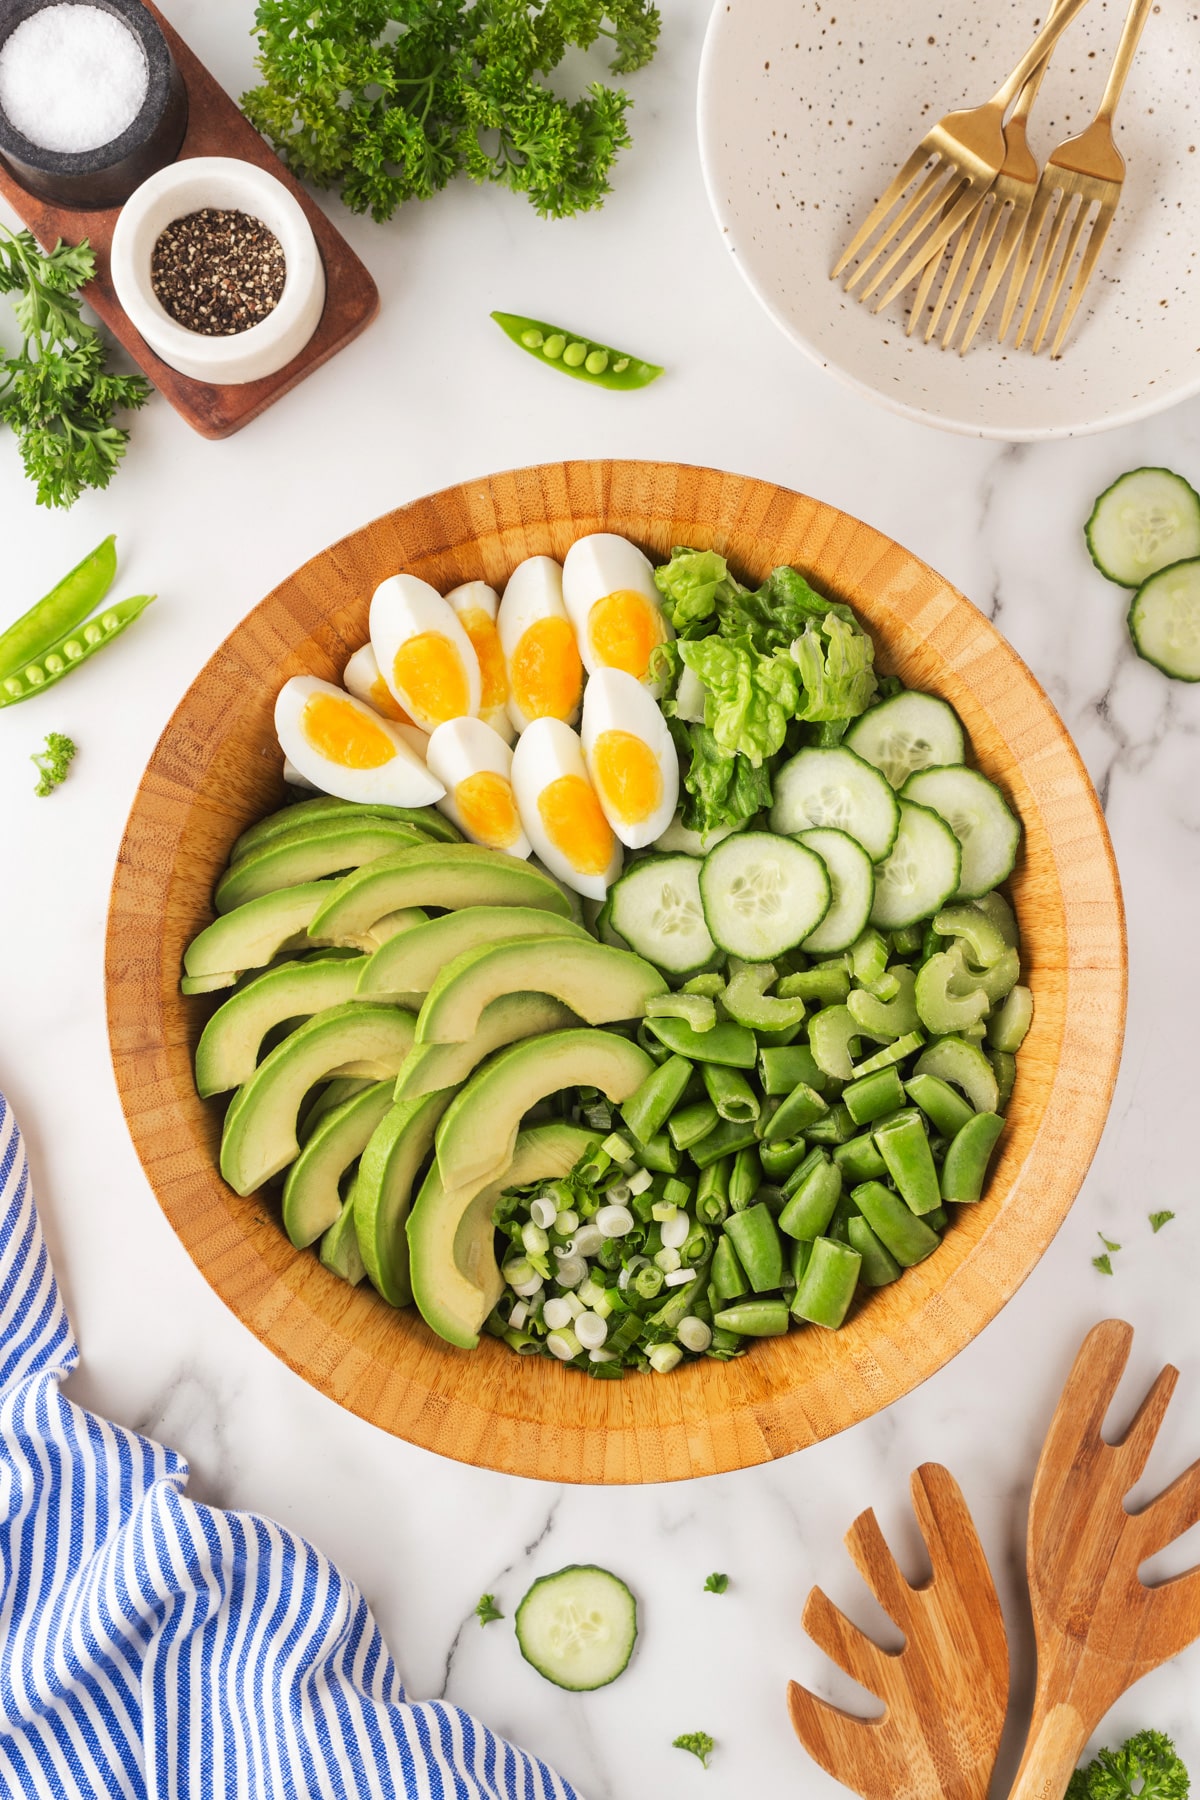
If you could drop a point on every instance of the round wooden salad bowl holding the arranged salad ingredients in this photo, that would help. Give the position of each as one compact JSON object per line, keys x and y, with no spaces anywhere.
{"x":219,"y":768}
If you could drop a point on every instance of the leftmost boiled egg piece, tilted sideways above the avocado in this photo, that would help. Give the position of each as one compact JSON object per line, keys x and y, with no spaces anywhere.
{"x":346,"y":750}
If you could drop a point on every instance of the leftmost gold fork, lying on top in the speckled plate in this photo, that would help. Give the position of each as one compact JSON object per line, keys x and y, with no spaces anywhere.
{"x":967,"y":150}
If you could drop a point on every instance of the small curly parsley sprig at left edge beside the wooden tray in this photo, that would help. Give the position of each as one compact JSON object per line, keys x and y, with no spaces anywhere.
{"x":55,"y":391}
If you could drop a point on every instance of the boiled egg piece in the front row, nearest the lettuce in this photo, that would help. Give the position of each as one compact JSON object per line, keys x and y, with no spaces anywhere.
{"x":629,"y":757}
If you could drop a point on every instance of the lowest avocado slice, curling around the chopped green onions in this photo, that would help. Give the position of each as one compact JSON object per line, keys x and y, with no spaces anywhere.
{"x":456,"y":1279}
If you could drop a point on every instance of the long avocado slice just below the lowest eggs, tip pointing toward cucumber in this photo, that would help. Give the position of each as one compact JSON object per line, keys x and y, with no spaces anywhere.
{"x":447,"y":876}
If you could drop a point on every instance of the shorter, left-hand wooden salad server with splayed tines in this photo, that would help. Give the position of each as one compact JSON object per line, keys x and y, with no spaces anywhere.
{"x":945,"y":1693}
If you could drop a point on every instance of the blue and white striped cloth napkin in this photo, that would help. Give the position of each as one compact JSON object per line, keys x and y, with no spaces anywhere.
{"x":154,"y":1648}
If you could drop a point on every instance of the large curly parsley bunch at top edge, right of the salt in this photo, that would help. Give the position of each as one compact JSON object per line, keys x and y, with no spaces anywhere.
{"x":391,"y":100}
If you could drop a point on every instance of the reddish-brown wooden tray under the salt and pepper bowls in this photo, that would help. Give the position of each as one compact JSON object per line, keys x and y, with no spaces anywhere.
{"x":215,"y":129}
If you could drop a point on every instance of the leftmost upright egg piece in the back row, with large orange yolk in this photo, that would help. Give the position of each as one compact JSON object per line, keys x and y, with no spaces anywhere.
{"x":424,"y":654}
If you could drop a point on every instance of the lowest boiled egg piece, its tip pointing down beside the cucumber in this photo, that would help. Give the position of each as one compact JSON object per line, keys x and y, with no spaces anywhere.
{"x":560,"y":811}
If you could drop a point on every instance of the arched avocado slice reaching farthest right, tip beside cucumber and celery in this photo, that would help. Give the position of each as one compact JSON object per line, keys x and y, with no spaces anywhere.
{"x":598,"y":984}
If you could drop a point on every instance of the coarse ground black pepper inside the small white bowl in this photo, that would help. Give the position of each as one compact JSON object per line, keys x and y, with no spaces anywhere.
{"x":219,"y":273}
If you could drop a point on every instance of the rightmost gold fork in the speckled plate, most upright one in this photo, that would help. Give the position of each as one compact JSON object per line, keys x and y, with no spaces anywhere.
{"x":1091,"y":170}
